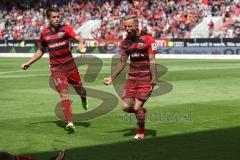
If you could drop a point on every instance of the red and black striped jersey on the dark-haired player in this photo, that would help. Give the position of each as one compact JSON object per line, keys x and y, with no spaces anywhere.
{"x":57,"y":43}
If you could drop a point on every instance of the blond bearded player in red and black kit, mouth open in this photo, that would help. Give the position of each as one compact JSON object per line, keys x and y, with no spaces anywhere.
{"x":141,"y":48}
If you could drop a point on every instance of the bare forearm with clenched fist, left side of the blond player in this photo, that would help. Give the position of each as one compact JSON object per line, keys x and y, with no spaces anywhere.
{"x":120,"y":66}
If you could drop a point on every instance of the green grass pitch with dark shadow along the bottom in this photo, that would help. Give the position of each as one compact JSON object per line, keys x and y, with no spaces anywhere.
{"x":198,"y":119}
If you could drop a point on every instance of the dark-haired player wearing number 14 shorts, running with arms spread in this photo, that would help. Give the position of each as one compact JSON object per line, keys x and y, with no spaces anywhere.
{"x":56,"y":38}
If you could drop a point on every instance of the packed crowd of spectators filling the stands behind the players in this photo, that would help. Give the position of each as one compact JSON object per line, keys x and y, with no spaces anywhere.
{"x":161,"y":18}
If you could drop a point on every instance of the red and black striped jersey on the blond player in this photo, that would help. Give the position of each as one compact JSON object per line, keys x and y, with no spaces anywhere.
{"x":139,"y":49}
